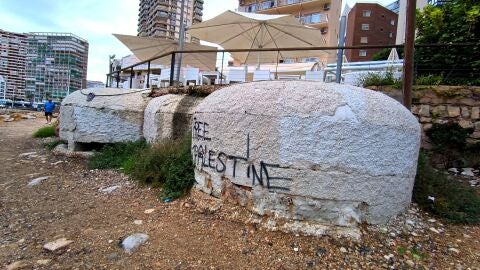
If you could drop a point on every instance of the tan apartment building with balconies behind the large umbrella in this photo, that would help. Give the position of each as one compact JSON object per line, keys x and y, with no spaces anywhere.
{"x":321,"y":14}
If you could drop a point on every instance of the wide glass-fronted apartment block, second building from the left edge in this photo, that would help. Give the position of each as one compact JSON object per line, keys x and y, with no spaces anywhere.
{"x":56,"y":65}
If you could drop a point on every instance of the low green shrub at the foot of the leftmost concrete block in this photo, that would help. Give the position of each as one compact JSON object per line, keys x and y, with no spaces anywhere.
{"x":114,"y":155}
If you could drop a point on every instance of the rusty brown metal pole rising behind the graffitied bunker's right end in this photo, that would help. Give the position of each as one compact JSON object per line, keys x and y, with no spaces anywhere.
{"x":408,"y":56}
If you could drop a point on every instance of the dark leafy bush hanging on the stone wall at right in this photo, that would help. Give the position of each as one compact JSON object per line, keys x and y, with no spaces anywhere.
{"x":449,"y":141}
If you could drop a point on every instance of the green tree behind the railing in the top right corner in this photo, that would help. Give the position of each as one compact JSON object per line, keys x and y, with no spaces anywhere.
{"x":452,"y":23}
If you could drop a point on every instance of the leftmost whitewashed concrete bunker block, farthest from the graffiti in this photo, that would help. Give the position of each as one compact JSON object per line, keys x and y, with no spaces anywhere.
{"x":114,"y":115}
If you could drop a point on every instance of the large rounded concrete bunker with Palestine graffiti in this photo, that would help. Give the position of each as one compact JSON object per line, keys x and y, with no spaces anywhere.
{"x":308,"y":151}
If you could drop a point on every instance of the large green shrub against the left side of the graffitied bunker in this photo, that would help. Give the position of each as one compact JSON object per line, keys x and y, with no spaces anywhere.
{"x":168,"y":164}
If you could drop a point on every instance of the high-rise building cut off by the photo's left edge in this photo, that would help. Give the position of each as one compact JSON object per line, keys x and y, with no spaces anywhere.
{"x":13,"y":64}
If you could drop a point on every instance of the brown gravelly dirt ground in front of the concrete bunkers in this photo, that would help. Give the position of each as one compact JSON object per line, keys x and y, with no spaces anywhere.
{"x":182,"y":234}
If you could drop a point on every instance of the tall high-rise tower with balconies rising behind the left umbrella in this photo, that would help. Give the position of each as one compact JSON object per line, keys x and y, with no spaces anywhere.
{"x":161,"y":18}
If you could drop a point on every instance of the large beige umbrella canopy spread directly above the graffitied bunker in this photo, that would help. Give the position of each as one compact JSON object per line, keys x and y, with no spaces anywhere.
{"x":239,"y":30}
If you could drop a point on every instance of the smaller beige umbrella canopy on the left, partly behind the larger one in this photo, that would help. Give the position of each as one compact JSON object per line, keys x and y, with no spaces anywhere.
{"x":145,"y":48}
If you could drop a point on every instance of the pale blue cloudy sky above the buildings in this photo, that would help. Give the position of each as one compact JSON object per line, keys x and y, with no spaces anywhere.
{"x":92,"y":20}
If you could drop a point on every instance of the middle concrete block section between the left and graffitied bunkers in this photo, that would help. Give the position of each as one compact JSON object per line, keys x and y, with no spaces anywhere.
{"x":169,"y":117}
